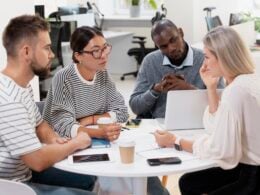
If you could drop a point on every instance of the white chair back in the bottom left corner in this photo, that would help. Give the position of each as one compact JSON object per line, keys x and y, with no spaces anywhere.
{"x":15,"y":188}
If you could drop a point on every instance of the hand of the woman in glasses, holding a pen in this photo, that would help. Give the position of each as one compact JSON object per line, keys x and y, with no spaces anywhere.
{"x":111,"y":131}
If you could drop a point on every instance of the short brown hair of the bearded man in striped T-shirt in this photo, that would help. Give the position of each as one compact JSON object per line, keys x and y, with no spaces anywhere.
{"x":21,"y":28}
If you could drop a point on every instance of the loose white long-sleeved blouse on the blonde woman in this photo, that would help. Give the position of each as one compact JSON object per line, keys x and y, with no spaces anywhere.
{"x":235,"y":126}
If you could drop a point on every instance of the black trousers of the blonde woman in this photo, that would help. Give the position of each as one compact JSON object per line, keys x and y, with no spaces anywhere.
{"x":242,"y":180}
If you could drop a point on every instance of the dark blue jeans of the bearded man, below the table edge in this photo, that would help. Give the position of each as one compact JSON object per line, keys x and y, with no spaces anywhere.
{"x":58,"y":178}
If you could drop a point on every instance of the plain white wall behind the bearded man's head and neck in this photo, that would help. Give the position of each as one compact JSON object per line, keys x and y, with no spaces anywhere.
{"x":15,"y":8}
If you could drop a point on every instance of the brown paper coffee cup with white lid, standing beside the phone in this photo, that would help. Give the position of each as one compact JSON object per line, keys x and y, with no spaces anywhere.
{"x":127,"y":151}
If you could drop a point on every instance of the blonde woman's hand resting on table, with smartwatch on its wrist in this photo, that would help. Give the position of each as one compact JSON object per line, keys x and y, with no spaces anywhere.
{"x":164,"y":138}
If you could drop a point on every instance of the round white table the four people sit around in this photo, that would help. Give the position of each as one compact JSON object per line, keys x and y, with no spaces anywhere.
{"x":139,"y":170}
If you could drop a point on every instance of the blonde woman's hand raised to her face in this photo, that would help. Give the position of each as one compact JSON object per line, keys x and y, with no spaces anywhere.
{"x":210,"y":81}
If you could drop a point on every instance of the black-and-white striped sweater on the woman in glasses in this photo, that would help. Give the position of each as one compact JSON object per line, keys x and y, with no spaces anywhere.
{"x":71,"y":97}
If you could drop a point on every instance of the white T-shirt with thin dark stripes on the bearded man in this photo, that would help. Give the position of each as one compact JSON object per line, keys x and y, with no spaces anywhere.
{"x":19,"y":117}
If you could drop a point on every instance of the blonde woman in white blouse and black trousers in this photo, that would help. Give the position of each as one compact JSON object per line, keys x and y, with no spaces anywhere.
{"x":234,"y":120}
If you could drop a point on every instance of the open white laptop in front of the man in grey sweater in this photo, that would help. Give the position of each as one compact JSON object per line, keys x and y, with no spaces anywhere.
{"x":185,"y":109}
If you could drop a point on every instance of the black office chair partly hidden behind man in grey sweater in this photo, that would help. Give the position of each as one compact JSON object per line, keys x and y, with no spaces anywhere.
{"x":140,"y":52}
